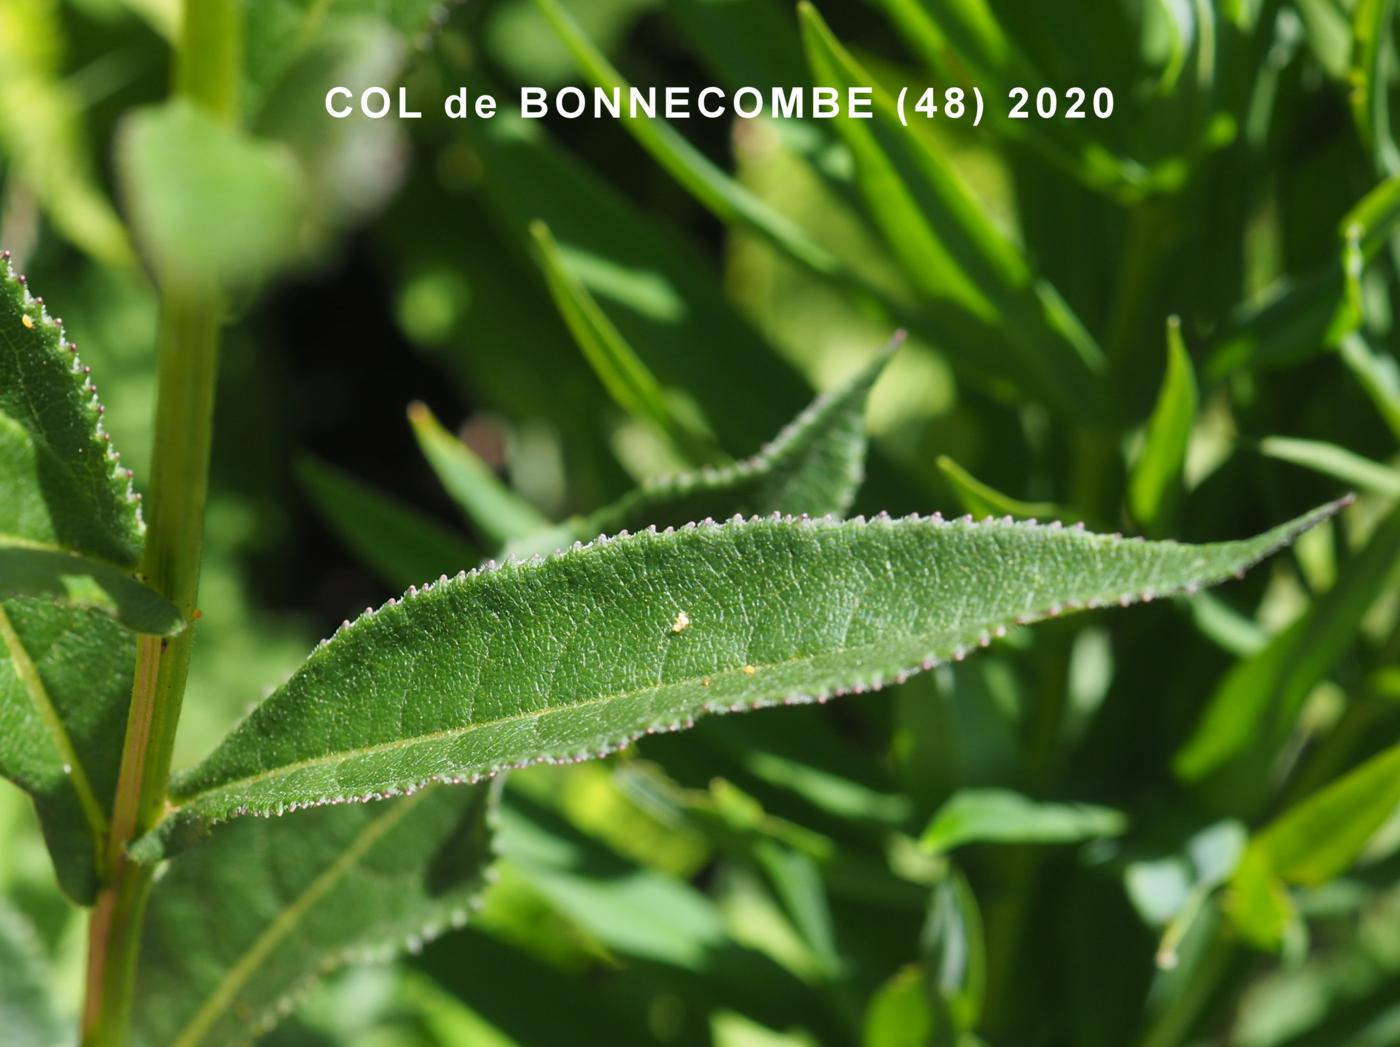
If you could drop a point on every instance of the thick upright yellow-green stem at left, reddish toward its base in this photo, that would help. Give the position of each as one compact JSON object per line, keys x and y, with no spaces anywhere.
{"x":208,"y":73}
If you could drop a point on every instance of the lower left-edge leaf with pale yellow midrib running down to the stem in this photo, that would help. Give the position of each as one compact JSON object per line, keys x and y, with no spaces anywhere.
{"x":65,"y":688}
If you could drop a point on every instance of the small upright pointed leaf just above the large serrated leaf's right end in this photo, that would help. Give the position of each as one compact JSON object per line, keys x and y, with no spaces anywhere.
{"x":1157,"y":475}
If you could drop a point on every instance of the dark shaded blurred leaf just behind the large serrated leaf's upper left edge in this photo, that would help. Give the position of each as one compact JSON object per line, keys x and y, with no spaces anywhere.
{"x":397,"y":541}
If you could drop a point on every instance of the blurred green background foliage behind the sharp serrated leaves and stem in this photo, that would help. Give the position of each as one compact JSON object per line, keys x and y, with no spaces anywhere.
{"x":1170,"y":827}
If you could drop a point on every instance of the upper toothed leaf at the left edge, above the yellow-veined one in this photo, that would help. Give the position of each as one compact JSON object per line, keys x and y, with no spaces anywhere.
{"x":71,"y":528}
